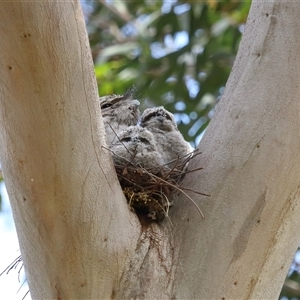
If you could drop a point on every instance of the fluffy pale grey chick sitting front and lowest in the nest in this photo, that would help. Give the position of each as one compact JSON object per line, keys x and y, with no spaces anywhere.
{"x":136,"y":146}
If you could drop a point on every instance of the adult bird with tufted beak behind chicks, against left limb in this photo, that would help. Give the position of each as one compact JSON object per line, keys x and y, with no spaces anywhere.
{"x":119,"y":112}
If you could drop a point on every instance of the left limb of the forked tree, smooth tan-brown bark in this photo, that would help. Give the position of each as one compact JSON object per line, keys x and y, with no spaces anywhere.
{"x":74,"y":236}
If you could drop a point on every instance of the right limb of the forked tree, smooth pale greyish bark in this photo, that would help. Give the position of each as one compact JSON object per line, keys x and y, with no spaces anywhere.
{"x":251,"y":167}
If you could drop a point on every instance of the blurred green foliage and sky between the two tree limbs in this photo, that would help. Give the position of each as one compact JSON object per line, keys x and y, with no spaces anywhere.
{"x":195,"y":81}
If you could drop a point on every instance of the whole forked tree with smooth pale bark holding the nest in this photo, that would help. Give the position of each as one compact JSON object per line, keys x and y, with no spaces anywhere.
{"x":77,"y":235}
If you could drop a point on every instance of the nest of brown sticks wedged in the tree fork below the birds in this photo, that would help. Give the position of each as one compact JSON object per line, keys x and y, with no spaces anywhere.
{"x":148,"y":191}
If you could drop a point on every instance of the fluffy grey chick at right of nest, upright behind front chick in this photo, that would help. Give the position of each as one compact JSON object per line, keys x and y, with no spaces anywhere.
{"x":169,"y":141}
